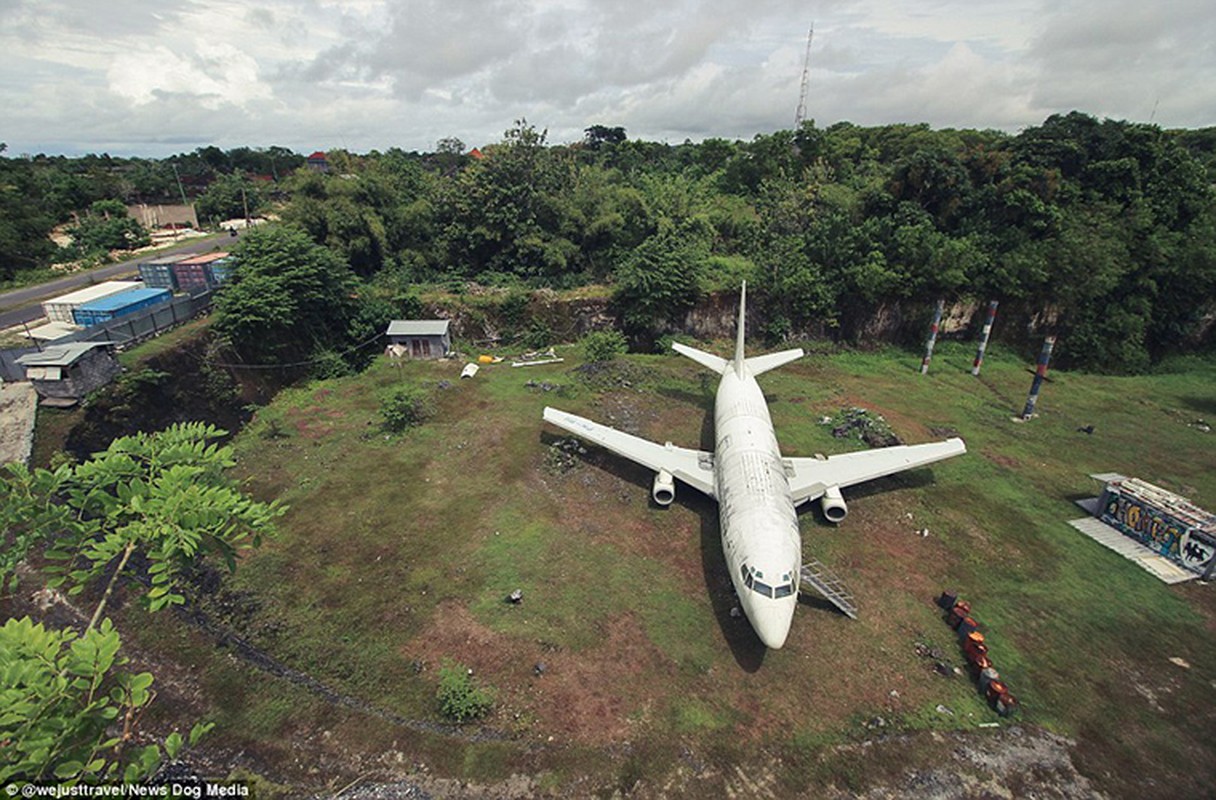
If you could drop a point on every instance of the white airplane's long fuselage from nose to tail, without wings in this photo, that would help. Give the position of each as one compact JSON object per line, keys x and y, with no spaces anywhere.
{"x":759,"y":525}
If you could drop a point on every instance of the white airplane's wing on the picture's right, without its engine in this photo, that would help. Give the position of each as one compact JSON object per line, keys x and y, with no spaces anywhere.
{"x":813,"y":477}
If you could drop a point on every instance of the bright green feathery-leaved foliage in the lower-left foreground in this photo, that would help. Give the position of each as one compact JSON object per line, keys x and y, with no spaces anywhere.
{"x":157,"y":500}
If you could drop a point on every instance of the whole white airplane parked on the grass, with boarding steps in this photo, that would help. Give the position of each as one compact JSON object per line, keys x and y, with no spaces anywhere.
{"x":756,"y":488}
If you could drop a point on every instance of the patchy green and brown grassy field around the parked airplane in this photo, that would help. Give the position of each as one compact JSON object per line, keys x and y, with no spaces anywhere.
{"x":399,"y":550}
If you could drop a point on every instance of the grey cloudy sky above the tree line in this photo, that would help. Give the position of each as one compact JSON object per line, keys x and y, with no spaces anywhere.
{"x":155,"y":78}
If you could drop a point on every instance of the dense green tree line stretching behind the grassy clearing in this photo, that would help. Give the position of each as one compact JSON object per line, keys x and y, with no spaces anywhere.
{"x":1108,"y":228}
